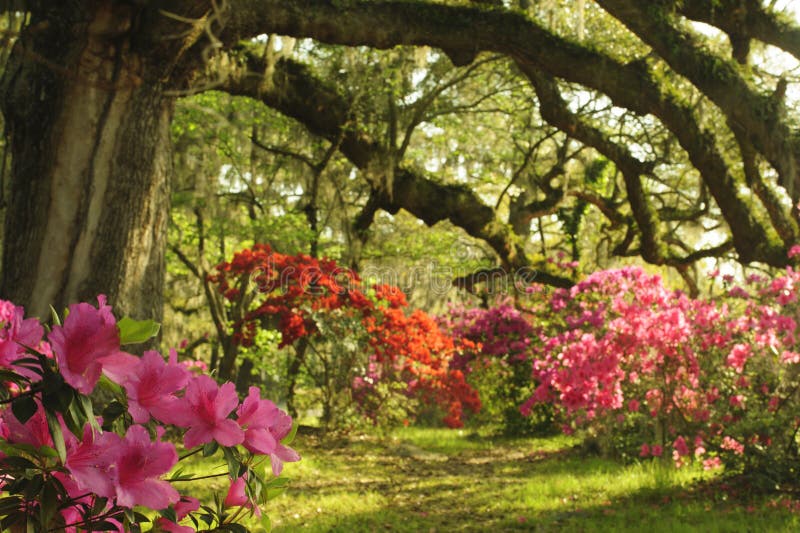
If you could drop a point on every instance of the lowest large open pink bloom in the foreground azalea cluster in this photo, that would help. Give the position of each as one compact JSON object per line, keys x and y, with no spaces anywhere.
{"x":139,"y":466}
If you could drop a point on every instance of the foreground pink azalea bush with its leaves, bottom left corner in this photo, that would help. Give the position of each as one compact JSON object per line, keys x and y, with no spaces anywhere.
{"x":66,"y":469}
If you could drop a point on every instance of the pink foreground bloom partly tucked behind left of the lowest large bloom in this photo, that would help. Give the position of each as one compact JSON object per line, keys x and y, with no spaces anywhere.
{"x":92,"y":460}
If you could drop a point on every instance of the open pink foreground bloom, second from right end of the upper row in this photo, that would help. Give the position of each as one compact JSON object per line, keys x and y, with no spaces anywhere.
{"x":205,"y":409}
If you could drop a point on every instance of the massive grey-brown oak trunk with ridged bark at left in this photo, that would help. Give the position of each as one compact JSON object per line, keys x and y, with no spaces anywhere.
{"x":91,"y":161}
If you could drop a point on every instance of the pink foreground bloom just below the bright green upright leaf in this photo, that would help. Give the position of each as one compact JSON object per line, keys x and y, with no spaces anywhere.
{"x":151,"y":386}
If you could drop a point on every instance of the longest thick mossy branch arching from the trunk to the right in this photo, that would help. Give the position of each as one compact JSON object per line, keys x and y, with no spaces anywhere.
{"x":463,"y":31}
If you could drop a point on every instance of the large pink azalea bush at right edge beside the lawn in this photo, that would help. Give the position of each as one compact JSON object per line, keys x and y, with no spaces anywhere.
{"x":646,"y":368}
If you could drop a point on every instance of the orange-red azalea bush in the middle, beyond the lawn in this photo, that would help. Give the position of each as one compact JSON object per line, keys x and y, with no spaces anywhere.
{"x":367,"y":338}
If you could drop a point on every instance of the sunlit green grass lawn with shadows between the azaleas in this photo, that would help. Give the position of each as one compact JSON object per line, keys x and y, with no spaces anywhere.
{"x":447,"y":480}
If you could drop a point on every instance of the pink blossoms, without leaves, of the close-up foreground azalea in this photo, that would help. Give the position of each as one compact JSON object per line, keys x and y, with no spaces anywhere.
{"x":128,"y":469}
